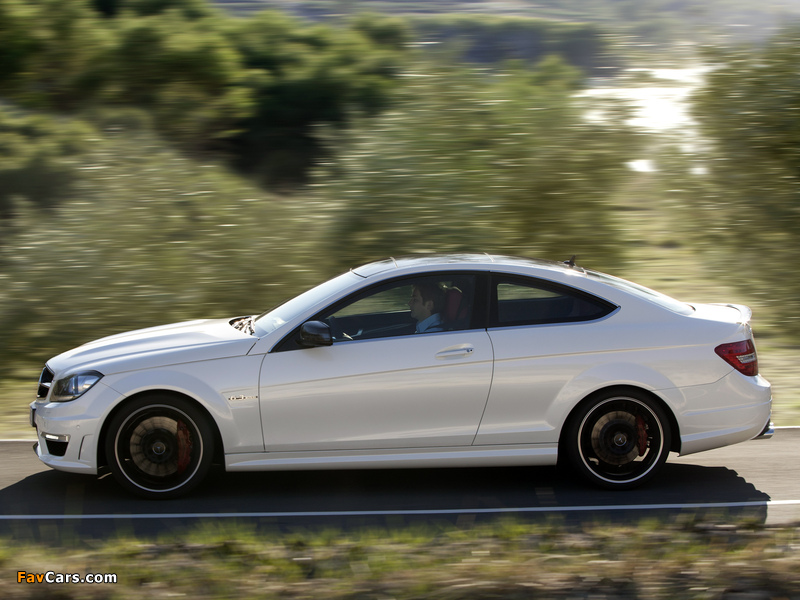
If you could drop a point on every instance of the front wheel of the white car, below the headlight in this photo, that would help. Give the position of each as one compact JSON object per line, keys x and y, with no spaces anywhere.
{"x":159,"y":447}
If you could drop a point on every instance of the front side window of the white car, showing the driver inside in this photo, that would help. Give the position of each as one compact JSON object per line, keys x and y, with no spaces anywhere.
{"x":417,"y":305}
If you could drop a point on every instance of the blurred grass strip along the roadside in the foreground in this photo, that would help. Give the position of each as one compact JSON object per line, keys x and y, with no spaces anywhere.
{"x":508,"y":559}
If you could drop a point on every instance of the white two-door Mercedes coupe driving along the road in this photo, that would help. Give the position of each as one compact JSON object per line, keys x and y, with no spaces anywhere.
{"x":435,"y":361}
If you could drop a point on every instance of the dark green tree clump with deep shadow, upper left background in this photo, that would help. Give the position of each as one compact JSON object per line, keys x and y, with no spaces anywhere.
{"x":254,"y":89}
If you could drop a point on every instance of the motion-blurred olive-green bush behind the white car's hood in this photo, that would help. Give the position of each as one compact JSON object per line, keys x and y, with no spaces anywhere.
{"x":148,"y":237}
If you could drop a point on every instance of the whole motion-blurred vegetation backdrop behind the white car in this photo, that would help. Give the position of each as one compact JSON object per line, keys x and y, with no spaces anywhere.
{"x":163,"y":160}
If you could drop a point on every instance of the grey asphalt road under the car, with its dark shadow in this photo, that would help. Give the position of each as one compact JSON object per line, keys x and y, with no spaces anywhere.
{"x":759,"y":479}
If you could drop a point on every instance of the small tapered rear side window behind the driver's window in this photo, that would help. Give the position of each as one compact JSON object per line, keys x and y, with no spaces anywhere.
{"x":521,"y":301}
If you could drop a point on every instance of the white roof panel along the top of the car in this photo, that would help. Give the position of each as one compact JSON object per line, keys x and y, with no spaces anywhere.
{"x":434,"y":261}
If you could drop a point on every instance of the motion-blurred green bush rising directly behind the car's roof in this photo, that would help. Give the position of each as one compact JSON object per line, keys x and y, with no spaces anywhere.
{"x":472,"y":161}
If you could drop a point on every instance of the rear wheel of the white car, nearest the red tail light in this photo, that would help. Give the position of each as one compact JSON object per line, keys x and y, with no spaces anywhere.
{"x":618,"y":440}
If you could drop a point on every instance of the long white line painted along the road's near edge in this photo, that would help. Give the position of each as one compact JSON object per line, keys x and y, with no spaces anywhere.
{"x":386,"y":513}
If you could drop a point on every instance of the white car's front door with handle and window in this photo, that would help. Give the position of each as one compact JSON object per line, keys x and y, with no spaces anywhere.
{"x":381,"y":385}
